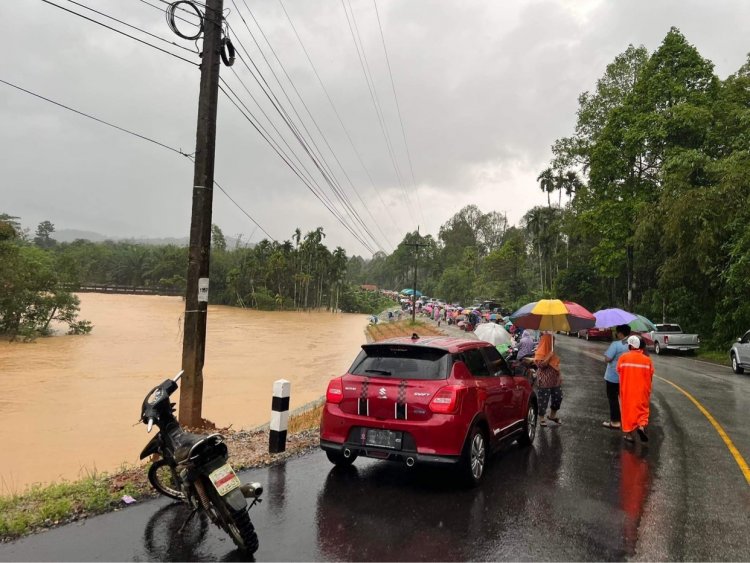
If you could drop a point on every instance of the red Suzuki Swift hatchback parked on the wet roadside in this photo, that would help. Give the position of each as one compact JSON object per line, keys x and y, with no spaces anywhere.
{"x":434,"y":400}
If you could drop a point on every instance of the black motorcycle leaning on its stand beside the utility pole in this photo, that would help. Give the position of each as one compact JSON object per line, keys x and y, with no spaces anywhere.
{"x":193,"y":468}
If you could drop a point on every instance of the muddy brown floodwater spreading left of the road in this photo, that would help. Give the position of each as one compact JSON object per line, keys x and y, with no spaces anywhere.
{"x":69,"y":404}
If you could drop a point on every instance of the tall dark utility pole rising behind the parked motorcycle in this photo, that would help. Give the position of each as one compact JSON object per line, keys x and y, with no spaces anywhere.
{"x":196,"y":299}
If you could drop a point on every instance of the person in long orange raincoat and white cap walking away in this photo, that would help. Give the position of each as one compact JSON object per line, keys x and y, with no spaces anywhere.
{"x":636,"y":372}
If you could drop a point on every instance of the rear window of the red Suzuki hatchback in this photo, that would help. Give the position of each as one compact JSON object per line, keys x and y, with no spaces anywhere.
{"x":402,"y":362}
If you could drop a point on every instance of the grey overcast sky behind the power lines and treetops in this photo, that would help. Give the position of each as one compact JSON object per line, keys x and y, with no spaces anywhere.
{"x":484,"y":89}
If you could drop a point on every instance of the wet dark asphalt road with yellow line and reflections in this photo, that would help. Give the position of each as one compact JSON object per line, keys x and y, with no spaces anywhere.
{"x":579,"y":494}
